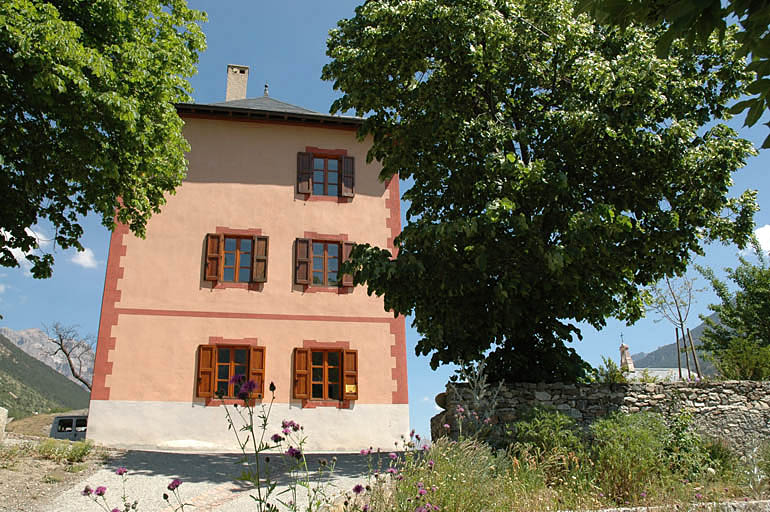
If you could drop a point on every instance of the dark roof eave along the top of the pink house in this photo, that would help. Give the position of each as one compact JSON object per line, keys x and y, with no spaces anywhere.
{"x":237,"y":113}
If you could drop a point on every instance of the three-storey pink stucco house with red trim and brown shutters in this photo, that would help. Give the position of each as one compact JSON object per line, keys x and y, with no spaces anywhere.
{"x":239,"y":275}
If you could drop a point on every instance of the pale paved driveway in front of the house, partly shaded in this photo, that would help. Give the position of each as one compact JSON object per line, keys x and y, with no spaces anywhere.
{"x":208,"y":481}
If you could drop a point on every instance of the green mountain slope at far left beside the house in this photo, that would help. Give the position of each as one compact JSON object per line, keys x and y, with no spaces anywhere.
{"x":28,"y":386}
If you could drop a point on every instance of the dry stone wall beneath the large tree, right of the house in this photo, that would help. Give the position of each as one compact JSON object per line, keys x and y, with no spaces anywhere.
{"x":736,"y":411}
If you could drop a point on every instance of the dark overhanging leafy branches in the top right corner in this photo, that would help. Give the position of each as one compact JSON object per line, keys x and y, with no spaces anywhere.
{"x":697,"y":20}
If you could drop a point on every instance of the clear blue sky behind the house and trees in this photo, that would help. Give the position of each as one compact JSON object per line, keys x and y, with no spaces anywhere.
{"x":284,"y":45}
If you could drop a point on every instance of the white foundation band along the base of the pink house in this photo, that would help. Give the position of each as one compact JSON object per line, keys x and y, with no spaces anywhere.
{"x":195,"y":427}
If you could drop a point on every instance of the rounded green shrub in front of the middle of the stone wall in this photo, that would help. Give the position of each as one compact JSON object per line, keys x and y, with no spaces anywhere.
{"x":627,"y":453}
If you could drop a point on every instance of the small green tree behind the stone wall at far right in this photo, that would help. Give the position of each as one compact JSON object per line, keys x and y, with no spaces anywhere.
{"x":740,"y":340}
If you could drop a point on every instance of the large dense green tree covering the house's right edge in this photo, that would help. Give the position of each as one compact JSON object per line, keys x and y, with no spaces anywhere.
{"x":558,"y":167}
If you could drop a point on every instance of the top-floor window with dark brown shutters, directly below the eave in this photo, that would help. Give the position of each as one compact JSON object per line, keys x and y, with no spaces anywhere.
{"x":325,"y":175}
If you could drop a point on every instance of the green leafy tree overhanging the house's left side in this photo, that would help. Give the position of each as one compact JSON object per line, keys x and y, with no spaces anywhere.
{"x":87,"y":120}
